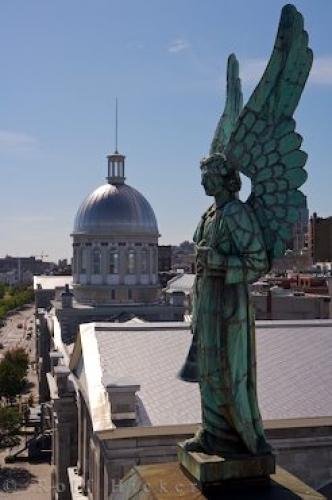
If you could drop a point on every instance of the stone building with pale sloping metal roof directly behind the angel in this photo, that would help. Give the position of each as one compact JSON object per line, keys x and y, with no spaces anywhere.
{"x":116,"y":401}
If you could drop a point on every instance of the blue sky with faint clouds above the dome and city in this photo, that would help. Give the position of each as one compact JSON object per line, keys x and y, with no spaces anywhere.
{"x":64,"y":61}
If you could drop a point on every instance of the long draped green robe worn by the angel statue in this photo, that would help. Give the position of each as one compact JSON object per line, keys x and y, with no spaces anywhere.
{"x":223,"y":324}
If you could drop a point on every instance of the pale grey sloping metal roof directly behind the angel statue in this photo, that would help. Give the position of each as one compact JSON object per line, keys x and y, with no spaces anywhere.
{"x":294,"y":369}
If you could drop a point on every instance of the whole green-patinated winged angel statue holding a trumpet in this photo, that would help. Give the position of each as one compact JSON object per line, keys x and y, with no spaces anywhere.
{"x":236,"y":242}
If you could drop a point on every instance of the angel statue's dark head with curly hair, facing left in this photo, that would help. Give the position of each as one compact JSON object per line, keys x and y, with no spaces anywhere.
{"x":218,"y":176}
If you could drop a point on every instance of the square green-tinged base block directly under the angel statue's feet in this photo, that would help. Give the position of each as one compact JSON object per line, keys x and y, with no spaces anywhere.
{"x":213,"y":469}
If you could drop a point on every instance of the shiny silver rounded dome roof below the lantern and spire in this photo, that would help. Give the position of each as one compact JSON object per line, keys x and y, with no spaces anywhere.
{"x":115,"y":209}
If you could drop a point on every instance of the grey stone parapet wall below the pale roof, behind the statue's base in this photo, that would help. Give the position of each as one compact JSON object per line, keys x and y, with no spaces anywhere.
{"x":307,"y":454}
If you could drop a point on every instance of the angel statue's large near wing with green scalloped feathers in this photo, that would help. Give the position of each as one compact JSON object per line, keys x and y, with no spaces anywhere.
{"x":264,"y":145}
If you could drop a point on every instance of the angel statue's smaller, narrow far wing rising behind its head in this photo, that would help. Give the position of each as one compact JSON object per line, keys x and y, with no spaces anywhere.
{"x":233,"y":107}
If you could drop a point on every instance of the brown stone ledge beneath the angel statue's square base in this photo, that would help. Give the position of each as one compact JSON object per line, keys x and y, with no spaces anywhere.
{"x":169,"y":482}
